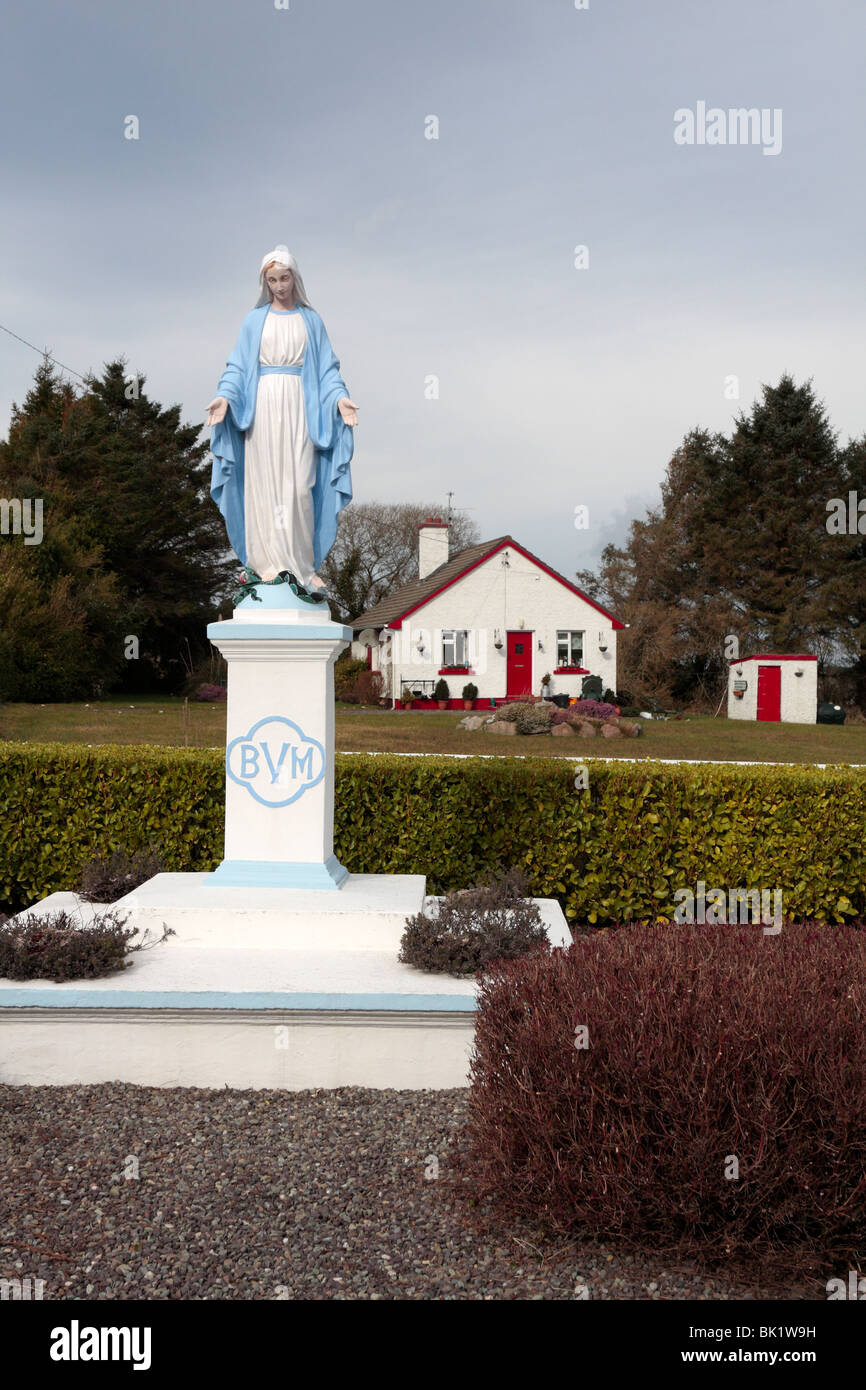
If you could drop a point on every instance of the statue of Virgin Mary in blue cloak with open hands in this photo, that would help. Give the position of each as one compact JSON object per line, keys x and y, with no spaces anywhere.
{"x":281,"y":434}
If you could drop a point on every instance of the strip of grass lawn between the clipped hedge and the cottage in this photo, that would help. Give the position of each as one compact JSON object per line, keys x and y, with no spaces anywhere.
{"x":170,"y":722}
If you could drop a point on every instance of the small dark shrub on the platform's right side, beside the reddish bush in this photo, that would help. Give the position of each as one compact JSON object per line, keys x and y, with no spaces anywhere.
{"x":496,"y":921}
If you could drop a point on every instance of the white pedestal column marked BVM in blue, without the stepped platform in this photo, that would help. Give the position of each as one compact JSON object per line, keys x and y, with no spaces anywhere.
{"x":280,"y":743}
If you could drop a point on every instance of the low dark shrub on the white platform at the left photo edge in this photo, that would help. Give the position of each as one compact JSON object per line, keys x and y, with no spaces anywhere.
{"x":58,"y":947}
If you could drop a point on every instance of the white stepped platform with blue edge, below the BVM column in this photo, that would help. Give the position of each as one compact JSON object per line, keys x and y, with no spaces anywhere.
{"x":313,"y":1003}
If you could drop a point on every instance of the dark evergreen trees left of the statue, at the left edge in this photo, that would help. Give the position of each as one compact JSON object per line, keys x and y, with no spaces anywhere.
{"x":133,"y":546}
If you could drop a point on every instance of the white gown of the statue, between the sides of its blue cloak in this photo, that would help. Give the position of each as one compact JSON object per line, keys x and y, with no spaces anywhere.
{"x":280,"y":459}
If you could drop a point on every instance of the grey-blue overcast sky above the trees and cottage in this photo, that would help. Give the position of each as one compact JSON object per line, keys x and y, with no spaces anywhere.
{"x":451,"y":258}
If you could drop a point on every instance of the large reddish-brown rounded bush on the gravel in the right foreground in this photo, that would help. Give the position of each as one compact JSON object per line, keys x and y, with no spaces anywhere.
{"x":710,"y":1052}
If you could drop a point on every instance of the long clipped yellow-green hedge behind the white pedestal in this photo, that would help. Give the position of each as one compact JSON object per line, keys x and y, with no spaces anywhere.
{"x":615,"y":853}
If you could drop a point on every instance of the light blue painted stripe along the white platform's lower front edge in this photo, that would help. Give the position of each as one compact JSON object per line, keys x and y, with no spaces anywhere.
{"x":59,"y":1000}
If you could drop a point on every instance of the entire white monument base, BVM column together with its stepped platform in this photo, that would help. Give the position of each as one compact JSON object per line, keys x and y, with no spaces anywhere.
{"x":269,"y":981}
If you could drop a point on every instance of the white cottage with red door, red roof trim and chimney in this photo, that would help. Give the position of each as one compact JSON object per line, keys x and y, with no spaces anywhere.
{"x":493,"y":616}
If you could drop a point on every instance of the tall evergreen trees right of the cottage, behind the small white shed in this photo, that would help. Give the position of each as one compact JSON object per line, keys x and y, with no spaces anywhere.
{"x":739,"y":548}
